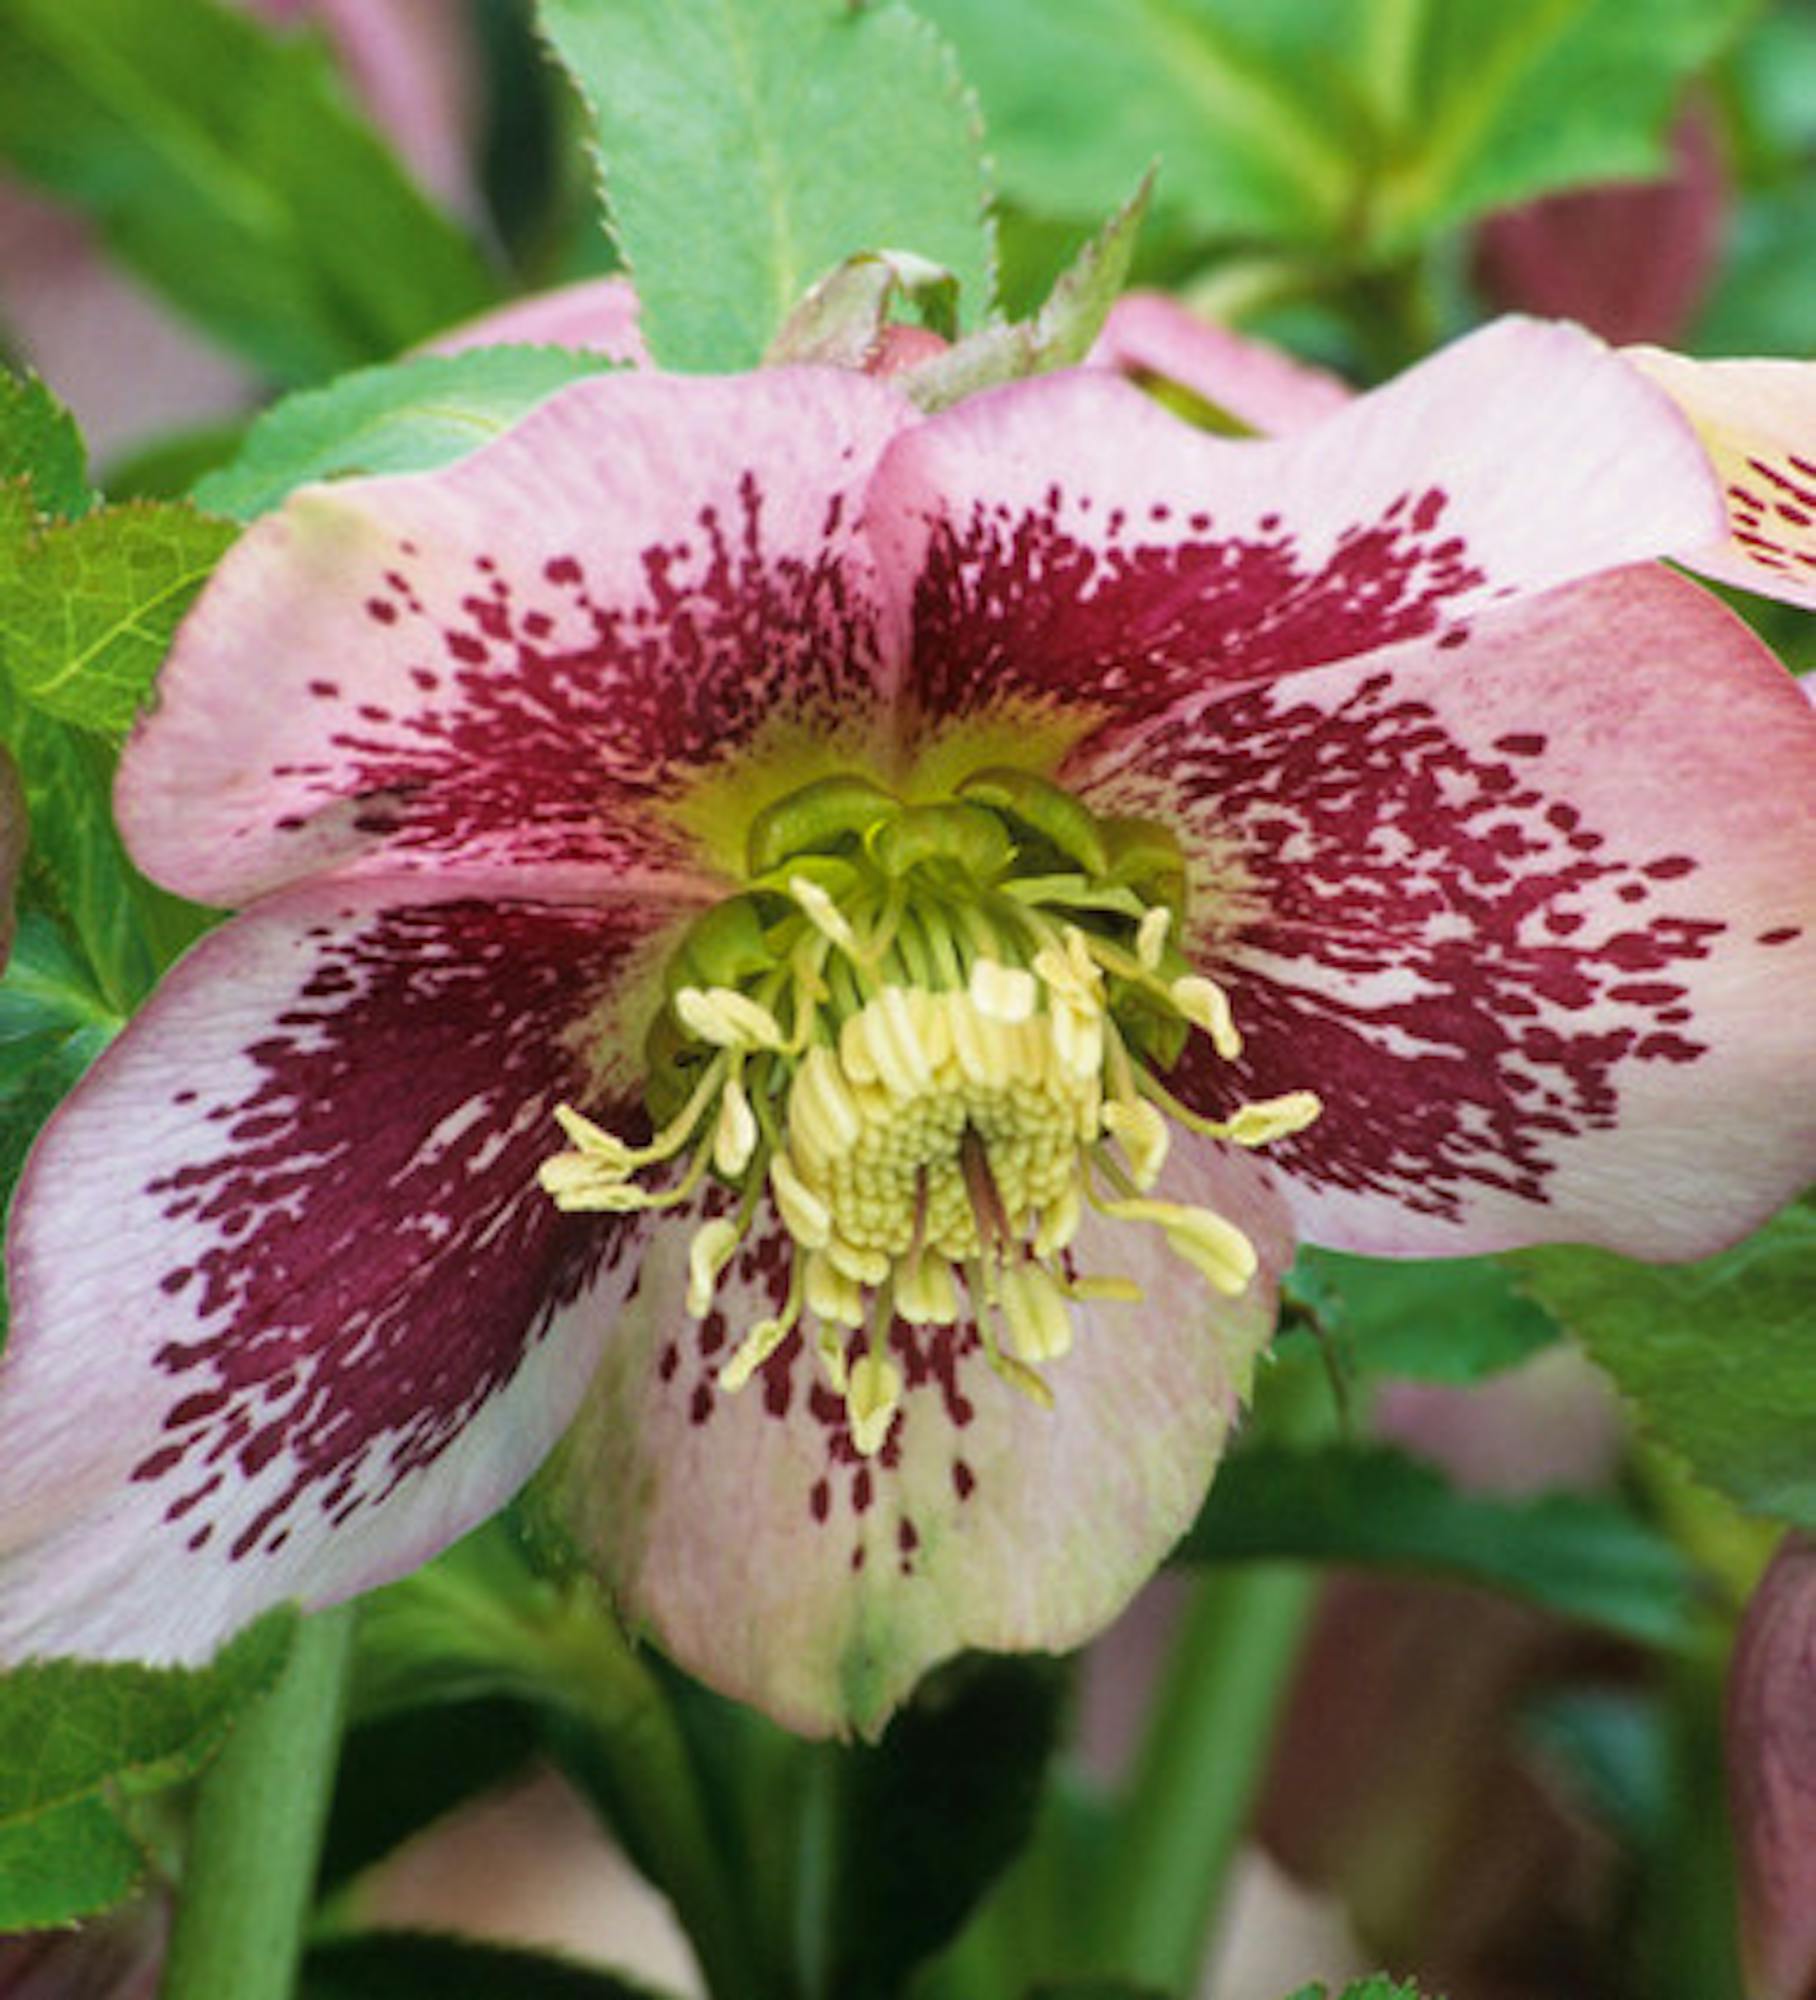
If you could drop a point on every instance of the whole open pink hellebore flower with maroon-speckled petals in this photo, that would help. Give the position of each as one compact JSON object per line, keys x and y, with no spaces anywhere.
{"x":807,"y":961}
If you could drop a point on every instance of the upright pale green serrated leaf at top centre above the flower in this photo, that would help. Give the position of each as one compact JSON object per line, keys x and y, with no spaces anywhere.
{"x":749,"y":147}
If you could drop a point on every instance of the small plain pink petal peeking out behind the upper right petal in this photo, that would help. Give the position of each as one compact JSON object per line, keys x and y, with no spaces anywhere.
{"x":1151,"y":337}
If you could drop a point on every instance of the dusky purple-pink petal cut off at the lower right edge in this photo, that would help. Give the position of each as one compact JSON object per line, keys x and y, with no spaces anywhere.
{"x":1773,"y":1775}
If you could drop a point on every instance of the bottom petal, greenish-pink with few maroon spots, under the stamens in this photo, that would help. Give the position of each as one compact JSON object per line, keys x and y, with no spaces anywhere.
{"x":789,"y":1573}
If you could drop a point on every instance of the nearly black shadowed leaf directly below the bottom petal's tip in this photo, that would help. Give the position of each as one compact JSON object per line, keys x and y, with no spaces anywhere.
{"x":935,"y":1813}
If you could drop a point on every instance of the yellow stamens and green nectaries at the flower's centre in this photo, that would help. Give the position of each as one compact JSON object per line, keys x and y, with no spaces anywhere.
{"x":933,"y":1033}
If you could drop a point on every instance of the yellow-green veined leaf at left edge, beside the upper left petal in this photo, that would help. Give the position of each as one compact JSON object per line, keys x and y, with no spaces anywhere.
{"x":89,"y":607}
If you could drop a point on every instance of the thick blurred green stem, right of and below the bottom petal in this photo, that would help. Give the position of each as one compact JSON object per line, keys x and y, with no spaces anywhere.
{"x":1201,"y":1767}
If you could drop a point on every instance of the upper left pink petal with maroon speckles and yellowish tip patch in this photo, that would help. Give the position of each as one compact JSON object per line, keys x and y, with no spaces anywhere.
{"x":537,"y":657}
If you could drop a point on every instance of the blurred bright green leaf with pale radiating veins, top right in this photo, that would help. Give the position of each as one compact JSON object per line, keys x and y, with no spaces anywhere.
{"x":1351,"y":131}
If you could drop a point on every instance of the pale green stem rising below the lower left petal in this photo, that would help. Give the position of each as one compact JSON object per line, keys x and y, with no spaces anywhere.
{"x":251,"y":1863}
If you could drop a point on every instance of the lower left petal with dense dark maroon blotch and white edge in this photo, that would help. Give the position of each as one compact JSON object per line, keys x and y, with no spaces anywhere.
{"x":291,"y":1311}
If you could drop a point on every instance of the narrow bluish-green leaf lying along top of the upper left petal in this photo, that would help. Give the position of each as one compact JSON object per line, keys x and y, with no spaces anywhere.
{"x":405,"y":417}
